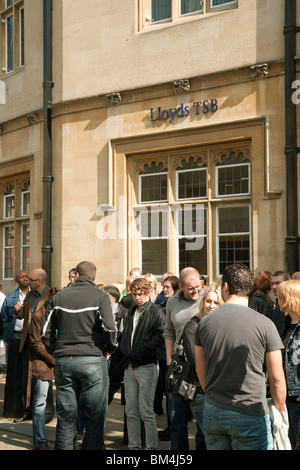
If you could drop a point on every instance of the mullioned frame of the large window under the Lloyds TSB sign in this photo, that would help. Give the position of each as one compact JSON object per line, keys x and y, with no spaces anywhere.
{"x":174,"y":209}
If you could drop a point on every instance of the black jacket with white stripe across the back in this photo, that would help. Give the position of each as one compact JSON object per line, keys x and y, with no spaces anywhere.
{"x":81,"y":321}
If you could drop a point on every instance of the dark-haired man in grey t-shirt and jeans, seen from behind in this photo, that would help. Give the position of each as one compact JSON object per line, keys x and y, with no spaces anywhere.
{"x":233,"y":345}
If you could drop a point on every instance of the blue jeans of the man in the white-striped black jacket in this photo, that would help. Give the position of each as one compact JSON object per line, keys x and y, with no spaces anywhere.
{"x":75,"y":375}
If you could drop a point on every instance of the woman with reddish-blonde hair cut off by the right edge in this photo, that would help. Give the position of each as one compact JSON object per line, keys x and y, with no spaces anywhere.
{"x":288,"y":294}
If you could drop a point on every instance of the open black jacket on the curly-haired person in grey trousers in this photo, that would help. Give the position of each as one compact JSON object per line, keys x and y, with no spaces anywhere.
{"x":148,"y":336}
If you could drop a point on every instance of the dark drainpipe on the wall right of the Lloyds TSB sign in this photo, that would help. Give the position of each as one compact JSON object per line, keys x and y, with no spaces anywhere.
{"x":291,"y":149}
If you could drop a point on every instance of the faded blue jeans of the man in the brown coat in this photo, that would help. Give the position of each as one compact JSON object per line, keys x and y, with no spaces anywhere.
{"x":39,"y":401}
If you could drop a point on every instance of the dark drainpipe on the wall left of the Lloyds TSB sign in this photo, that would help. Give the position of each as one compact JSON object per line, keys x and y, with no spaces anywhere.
{"x":47,"y":140}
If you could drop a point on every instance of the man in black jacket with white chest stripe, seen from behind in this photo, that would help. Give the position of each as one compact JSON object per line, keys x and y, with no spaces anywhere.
{"x":82,"y":331}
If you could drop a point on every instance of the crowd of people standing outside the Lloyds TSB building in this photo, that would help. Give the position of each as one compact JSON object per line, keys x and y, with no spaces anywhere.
{"x":241,"y":337}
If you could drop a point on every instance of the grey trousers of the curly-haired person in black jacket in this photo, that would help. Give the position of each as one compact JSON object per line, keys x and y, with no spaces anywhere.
{"x":140,"y":385}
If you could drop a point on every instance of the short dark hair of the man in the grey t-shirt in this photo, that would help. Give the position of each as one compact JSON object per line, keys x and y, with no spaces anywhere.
{"x":239,"y":279}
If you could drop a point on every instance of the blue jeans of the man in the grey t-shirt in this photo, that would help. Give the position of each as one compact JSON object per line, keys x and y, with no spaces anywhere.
{"x":228,"y":430}
